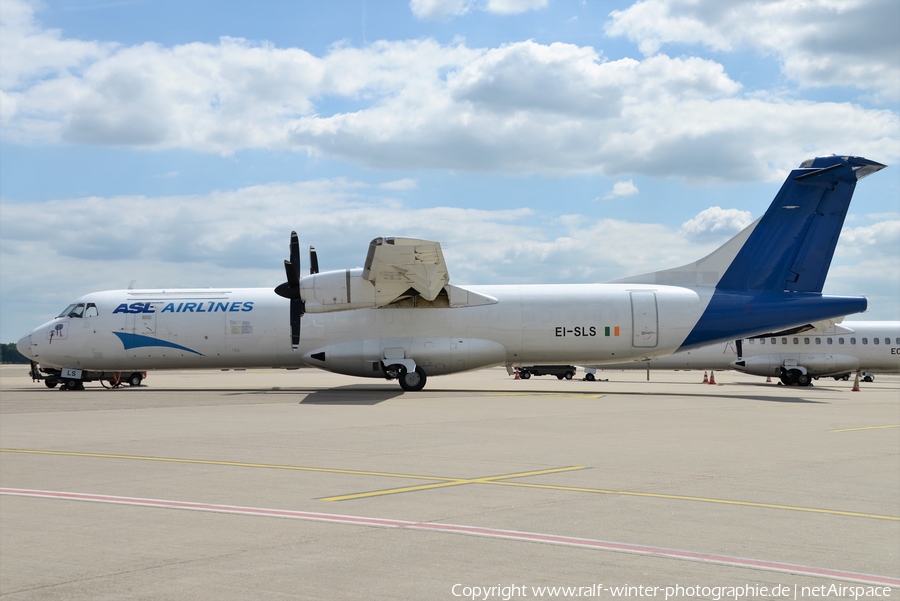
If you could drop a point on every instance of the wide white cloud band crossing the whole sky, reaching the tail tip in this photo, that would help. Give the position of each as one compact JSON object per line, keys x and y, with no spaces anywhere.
{"x":519,"y":108}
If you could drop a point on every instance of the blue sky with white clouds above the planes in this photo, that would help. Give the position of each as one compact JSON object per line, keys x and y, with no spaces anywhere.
{"x":540,"y":141}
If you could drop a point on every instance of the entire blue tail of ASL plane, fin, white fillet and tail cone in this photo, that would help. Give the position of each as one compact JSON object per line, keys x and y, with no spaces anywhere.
{"x":771,"y":274}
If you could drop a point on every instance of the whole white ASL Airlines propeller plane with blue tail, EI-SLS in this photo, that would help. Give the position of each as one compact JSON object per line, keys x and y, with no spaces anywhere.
{"x":399,"y":318}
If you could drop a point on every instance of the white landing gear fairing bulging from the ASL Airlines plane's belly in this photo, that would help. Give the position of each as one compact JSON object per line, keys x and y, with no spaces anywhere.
{"x":437,"y":356}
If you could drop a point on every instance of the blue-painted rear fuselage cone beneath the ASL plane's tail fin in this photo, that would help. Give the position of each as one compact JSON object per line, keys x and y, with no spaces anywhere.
{"x":762,"y":311}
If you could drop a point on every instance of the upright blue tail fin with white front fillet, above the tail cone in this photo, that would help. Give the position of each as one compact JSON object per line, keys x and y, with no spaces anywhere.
{"x":790,"y":247}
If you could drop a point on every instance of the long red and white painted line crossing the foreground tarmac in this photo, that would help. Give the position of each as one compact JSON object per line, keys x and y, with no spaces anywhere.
{"x":758,"y":564}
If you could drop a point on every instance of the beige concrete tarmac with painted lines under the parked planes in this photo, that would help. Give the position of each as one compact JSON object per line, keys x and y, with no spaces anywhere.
{"x":276,"y":484}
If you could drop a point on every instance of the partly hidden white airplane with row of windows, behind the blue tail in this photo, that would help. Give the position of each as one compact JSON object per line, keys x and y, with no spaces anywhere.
{"x":822,"y":350}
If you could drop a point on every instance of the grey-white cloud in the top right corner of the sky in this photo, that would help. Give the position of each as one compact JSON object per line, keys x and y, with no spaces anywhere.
{"x":818,"y":42}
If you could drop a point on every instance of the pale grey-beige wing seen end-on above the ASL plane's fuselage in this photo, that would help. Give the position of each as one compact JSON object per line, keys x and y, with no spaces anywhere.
{"x":394,"y":265}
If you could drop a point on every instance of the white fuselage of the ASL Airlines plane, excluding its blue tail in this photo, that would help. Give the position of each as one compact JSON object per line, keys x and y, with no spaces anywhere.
{"x":246,"y":328}
